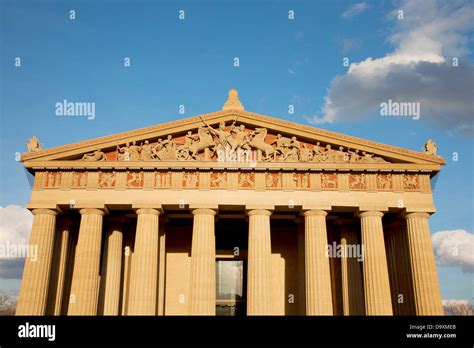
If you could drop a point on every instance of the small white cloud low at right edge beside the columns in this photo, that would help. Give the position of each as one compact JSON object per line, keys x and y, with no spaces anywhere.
{"x":454,"y":248}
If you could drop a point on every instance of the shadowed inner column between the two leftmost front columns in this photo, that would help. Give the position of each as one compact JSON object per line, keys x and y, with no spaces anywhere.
{"x":59,"y":266}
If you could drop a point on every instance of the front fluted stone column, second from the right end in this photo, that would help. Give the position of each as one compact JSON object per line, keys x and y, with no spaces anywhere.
{"x":376,"y":281}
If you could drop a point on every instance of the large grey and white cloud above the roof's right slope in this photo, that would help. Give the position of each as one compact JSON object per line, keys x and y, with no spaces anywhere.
{"x":419,"y":69}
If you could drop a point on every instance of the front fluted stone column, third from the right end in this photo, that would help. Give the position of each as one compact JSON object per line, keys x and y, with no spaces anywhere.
{"x":318,"y":276}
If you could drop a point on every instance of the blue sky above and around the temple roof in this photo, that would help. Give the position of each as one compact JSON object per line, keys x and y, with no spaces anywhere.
{"x":190,"y":62}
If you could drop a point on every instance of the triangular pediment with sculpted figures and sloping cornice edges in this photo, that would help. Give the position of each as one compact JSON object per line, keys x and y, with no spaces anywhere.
{"x":199,"y":139}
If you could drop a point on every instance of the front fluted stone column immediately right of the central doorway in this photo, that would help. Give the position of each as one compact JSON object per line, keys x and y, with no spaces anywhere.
{"x":259,"y":290}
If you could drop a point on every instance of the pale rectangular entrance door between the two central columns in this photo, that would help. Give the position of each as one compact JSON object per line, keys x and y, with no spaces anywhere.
{"x":230,"y":291}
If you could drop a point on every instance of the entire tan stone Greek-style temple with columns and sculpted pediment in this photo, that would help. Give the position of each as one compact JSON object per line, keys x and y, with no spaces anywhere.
{"x":230,"y":213}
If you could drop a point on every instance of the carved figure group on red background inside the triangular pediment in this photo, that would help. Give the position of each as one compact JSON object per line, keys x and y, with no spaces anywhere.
{"x":209,"y":141}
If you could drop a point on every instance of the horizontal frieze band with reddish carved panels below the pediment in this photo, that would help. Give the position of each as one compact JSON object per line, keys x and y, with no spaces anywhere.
{"x":234,"y":180}
